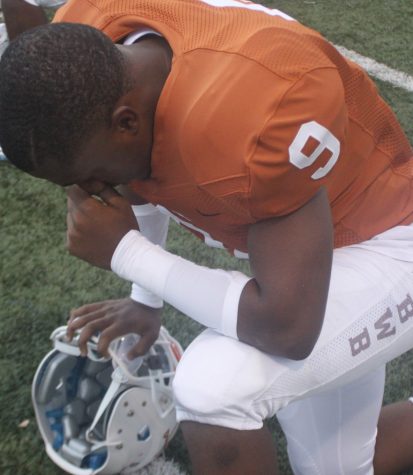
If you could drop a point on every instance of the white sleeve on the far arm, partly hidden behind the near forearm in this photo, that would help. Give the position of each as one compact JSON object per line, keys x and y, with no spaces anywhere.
{"x":154,"y":226}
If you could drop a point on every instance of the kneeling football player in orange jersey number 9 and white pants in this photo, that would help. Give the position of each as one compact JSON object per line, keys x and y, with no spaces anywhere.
{"x":254,"y":133}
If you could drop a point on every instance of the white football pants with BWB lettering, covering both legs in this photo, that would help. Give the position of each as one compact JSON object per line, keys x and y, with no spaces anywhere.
{"x":334,"y":395}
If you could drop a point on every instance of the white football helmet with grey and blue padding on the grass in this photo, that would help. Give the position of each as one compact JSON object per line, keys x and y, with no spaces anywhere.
{"x":105,"y":415}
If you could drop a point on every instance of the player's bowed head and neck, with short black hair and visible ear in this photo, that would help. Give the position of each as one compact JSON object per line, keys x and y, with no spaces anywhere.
{"x":75,"y":107}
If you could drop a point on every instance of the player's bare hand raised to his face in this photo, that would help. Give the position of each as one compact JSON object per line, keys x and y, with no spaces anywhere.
{"x":94,"y":228}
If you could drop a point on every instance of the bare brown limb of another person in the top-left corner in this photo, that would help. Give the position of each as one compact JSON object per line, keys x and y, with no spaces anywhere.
{"x":20,"y":16}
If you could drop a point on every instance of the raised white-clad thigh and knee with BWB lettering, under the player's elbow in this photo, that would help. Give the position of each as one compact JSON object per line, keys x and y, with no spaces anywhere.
{"x":368,"y":321}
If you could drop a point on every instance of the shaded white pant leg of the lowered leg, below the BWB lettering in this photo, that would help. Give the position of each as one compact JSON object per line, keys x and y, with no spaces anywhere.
{"x":335,"y":432}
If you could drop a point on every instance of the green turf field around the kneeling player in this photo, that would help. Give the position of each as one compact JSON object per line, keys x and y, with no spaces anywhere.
{"x":40,"y":282}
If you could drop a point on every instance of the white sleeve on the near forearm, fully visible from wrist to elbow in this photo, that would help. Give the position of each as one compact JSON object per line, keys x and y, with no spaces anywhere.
{"x":209,"y":296}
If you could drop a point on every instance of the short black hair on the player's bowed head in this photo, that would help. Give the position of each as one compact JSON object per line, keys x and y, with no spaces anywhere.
{"x":58,"y":84}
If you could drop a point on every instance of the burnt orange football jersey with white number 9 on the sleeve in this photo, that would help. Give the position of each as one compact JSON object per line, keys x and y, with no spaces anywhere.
{"x":257,"y":113}
